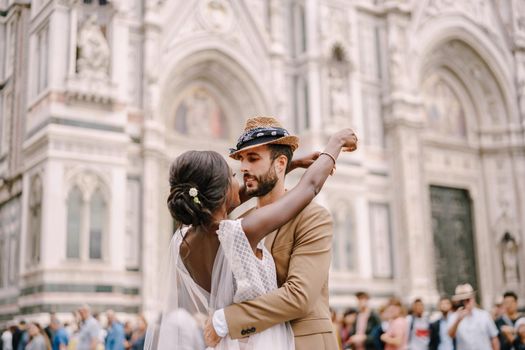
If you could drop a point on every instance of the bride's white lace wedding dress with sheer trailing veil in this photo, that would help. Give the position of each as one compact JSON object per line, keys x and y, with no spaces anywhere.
{"x":238,"y":275}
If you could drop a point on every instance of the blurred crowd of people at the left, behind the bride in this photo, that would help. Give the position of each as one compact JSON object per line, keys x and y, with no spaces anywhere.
{"x":86,"y":332}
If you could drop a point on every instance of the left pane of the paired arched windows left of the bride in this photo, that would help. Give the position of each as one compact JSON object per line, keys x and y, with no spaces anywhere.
{"x":74,"y":223}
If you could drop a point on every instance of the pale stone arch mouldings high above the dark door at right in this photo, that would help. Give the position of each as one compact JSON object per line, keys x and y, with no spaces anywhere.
{"x":430,"y":42}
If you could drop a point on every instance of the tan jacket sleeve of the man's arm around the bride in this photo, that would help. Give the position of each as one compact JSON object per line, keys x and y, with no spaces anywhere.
{"x":307,"y":275}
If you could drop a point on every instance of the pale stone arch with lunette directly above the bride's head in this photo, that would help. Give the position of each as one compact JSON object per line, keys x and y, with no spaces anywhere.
{"x":229,"y":88}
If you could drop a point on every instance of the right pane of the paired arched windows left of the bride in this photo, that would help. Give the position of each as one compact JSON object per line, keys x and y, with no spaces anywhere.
{"x":97,"y":223}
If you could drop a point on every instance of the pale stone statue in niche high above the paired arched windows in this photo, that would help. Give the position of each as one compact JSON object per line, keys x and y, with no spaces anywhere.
{"x":93,"y":50}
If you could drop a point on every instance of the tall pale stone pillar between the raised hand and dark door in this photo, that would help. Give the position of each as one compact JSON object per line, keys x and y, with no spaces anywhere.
{"x":404,"y":123}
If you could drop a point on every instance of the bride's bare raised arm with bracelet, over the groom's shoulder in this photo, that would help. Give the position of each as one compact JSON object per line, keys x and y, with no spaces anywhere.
{"x":262,"y":221}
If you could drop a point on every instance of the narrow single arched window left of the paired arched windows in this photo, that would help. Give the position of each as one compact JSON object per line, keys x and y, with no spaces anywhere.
{"x":35,"y":221}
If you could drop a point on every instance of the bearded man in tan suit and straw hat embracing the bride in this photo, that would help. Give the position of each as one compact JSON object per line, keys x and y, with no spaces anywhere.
{"x":301,"y":249}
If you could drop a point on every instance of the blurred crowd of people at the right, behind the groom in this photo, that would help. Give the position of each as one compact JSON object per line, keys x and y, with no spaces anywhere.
{"x":460,"y":324}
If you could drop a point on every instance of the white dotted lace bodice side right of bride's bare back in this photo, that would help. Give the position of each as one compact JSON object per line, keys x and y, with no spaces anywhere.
{"x":252,"y":276}
